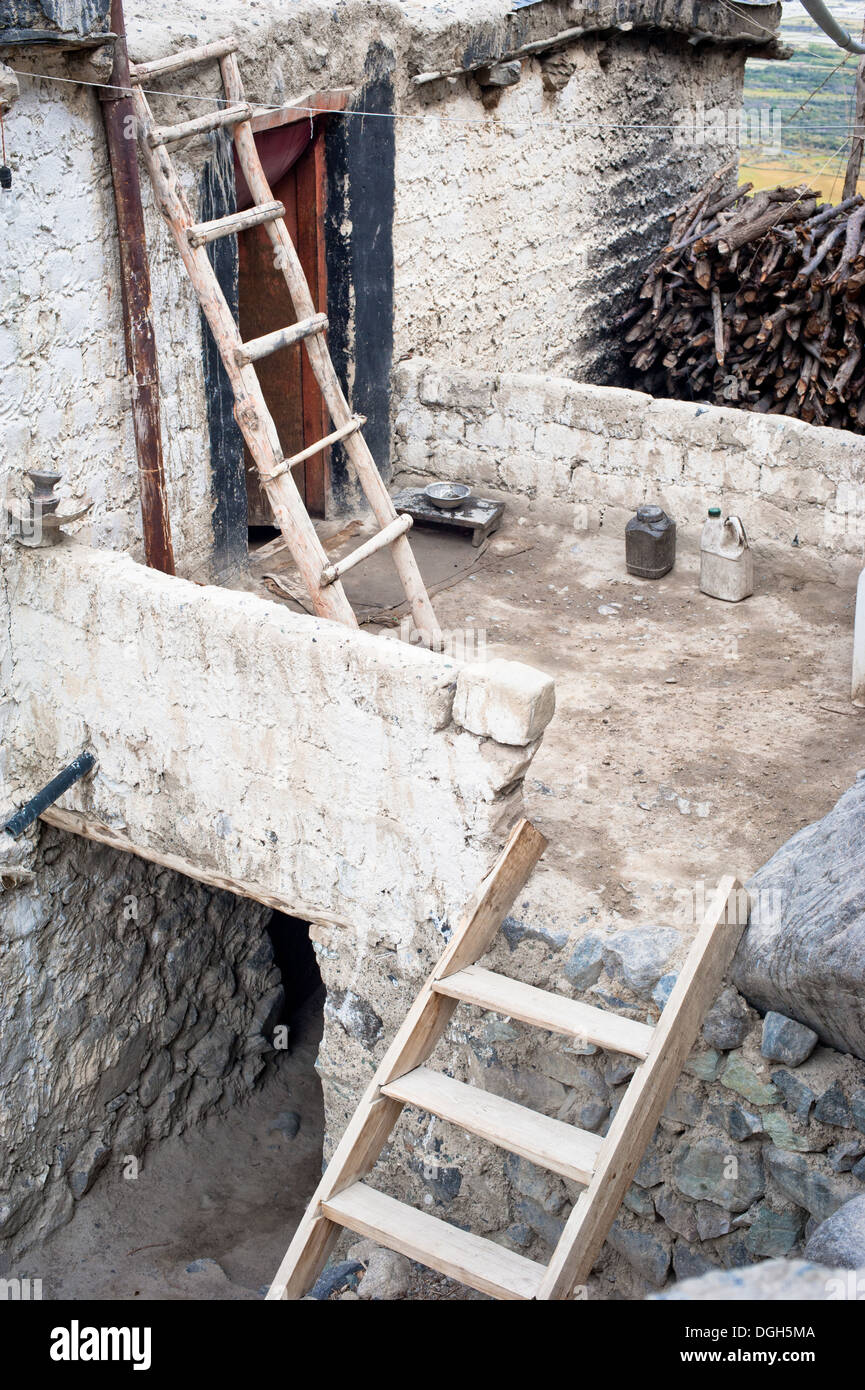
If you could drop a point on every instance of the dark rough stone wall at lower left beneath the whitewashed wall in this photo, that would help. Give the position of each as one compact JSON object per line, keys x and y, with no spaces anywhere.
{"x":133,"y":1004}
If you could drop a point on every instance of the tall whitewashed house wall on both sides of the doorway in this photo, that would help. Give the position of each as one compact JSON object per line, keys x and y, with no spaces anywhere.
{"x":510,"y":243}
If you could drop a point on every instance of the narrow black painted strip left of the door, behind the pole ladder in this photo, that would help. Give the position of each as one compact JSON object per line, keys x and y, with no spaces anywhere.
{"x":227,"y":475}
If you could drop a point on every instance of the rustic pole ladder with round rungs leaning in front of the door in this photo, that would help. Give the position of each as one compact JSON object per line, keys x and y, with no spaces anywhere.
{"x":322,"y":579}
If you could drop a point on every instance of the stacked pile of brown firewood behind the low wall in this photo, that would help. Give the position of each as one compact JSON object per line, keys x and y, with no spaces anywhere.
{"x":759,"y":302}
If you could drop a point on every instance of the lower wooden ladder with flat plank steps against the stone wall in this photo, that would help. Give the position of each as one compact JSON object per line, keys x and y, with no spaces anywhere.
{"x":606,"y":1167}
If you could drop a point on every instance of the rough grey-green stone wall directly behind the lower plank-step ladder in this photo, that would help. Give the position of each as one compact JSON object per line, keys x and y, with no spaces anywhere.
{"x":763,"y":1139}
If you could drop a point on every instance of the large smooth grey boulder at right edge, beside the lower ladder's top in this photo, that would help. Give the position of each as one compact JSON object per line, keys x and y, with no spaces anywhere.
{"x":803,"y":953}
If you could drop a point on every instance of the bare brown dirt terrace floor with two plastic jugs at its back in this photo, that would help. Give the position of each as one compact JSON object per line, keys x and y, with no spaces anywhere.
{"x":692,"y":737}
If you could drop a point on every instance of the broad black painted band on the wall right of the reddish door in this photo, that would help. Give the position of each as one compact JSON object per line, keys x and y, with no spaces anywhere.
{"x":361,"y":166}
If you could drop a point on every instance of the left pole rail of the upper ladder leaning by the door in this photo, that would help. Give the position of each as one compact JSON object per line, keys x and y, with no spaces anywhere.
{"x":251,"y":409}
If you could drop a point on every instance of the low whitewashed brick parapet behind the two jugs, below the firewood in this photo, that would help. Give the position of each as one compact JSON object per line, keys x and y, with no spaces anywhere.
{"x":601,"y":452}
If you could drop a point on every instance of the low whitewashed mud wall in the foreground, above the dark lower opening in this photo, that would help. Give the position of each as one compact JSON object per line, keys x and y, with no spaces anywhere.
{"x":318,"y":762}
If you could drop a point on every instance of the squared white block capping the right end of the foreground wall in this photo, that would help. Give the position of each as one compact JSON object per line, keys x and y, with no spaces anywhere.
{"x":507,"y":701}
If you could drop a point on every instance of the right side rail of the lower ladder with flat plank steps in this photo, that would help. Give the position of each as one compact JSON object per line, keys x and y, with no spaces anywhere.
{"x":635,"y":1122}
